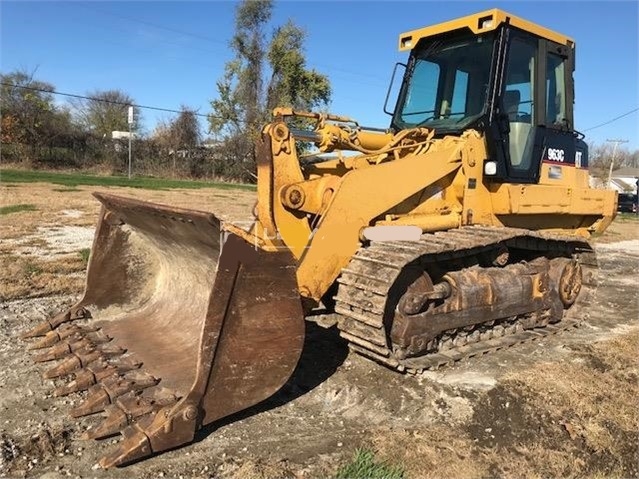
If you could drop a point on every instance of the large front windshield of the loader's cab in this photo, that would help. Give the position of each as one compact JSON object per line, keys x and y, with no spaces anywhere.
{"x":447,"y":85}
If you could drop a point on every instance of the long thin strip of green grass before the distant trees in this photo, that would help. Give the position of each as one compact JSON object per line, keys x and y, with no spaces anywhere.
{"x":75,"y":179}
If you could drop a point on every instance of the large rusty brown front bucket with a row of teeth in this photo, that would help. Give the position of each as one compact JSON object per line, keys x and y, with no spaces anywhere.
{"x":178,"y":327}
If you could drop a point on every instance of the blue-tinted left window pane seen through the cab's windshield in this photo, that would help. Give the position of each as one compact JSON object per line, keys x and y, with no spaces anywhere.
{"x":422,"y":94}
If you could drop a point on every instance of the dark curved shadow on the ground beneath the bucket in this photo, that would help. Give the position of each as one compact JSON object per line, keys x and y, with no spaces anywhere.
{"x":324,"y":351}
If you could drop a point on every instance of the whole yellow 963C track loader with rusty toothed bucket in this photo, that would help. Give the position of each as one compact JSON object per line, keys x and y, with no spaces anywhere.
{"x":461,"y":229}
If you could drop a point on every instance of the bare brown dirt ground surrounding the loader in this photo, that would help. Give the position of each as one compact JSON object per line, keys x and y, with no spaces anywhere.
{"x":563,"y":407}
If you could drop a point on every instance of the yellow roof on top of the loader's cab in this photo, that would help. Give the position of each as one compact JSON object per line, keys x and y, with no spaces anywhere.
{"x":479,"y":23}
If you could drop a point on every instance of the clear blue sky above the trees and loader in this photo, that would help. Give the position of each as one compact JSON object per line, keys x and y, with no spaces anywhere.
{"x":168,"y":54}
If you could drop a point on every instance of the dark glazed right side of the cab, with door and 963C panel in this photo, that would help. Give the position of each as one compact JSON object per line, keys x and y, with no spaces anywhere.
{"x":537,"y":101}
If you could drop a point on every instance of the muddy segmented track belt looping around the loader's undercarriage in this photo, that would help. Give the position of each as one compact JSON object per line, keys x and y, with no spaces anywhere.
{"x":366,"y":281}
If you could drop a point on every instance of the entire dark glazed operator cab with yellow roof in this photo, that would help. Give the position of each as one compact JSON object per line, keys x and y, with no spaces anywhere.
{"x":500,"y":75}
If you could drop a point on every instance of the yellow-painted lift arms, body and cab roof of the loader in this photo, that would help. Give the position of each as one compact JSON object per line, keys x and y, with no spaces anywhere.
{"x":318,"y":210}
